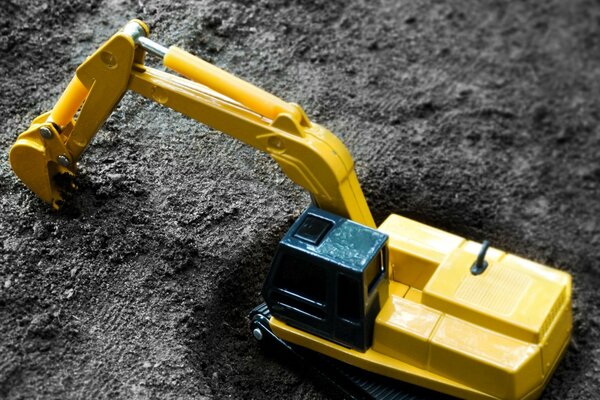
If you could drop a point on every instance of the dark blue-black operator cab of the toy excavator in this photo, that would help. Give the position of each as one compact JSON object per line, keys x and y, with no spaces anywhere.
{"x":329,"y":278}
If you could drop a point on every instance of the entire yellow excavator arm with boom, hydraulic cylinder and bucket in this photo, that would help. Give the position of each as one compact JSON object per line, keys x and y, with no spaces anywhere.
{"x":45,"y":155}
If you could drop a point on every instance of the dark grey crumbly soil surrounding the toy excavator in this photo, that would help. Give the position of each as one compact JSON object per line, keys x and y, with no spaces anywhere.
{"x":480,"y":118}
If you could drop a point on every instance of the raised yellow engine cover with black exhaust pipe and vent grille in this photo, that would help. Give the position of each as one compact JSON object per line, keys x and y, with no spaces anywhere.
{"x":509,"y":297}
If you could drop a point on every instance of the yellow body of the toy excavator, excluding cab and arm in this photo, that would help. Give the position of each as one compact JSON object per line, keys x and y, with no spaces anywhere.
{"x":445,"y":329}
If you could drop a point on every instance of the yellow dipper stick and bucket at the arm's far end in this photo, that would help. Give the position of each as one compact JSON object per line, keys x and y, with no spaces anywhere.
{"x":101,"y":81}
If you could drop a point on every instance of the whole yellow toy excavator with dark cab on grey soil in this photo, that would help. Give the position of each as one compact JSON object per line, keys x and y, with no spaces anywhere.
{"x":404,"y":301}
